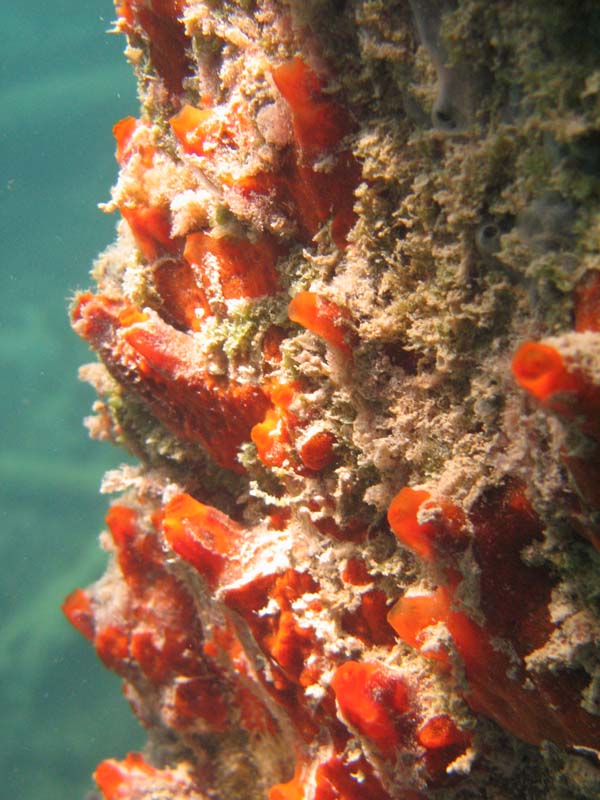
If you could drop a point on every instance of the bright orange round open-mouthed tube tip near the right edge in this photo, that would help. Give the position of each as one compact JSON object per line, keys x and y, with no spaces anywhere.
{"x":540,"y":370}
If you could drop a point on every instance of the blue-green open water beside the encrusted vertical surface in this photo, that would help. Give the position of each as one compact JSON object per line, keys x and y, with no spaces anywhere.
{"x":63,"y":83}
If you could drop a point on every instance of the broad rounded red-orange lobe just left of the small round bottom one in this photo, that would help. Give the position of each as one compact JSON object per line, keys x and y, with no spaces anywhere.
{"x":372,"y":700}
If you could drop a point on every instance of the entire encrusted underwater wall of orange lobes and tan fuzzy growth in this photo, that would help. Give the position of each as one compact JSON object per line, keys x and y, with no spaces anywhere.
{"x":350,"y":327}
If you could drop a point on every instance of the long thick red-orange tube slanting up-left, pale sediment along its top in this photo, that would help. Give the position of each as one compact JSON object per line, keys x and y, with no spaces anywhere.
{"x":166,"y":370}
